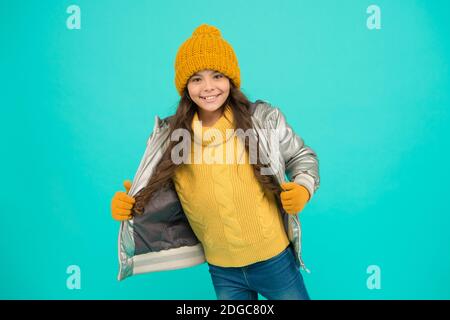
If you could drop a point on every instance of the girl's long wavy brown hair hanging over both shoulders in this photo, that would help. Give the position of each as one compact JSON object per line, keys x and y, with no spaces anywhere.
{"x":164,"y":171}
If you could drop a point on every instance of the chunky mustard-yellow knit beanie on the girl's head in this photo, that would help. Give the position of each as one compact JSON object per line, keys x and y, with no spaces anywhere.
{"x":205,"y":49}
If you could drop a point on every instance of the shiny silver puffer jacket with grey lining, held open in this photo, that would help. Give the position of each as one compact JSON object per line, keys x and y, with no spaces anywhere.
{"x":162,"y":239}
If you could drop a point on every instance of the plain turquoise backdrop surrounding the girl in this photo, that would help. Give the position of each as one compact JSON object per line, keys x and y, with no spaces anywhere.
{"x":78,"y":106}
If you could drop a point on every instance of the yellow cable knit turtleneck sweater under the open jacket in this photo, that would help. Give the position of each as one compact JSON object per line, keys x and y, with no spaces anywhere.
{"x":236,"y":222}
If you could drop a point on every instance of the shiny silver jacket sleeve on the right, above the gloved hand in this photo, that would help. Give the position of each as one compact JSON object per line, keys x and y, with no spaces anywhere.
{"x":301,"y":162}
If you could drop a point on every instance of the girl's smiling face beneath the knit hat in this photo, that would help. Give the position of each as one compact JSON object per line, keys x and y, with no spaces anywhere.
{"x":209,"y":90}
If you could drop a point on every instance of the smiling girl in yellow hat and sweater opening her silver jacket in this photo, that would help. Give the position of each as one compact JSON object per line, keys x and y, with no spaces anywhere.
{"x":204,"y":192}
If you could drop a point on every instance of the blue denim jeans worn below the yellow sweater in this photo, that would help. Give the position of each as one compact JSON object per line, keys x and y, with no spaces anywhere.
{"x":277,"y":278}
